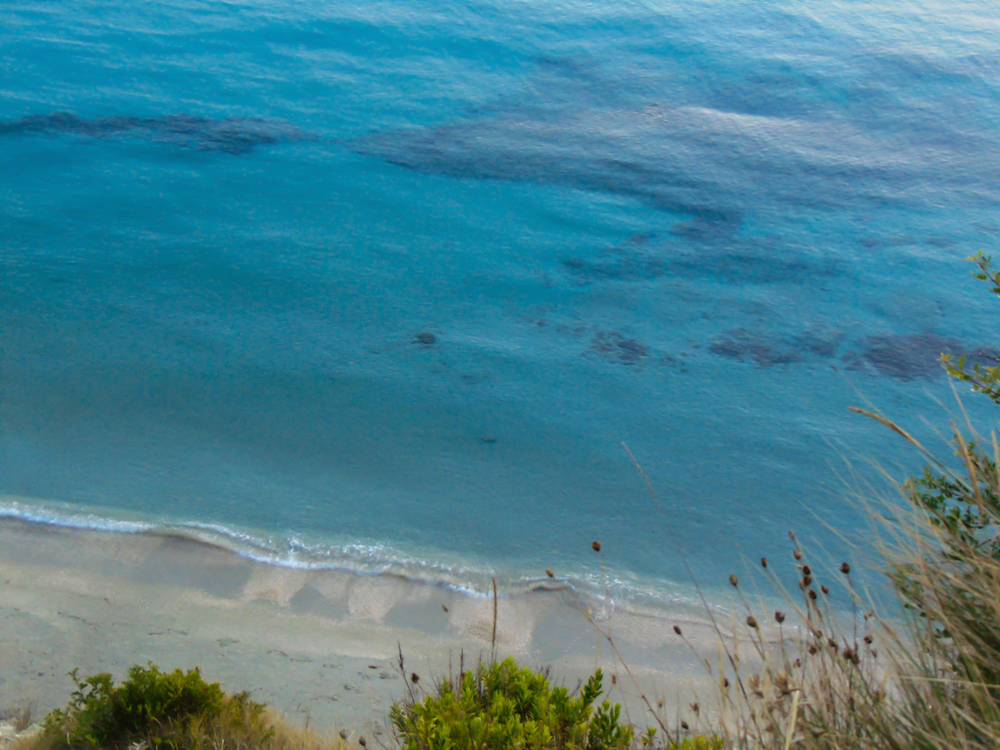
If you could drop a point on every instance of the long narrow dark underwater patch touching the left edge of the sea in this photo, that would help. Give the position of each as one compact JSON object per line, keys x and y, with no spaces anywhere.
{"x":235,"y":135}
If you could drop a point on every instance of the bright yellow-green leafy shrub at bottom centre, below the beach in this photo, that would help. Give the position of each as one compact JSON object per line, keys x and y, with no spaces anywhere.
{"x":503,"y":706}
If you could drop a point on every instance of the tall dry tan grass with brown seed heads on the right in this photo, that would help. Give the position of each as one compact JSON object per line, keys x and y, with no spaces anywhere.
{"x":925,"y":676}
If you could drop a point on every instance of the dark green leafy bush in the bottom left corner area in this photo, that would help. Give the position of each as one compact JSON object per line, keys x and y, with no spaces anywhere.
{"x":151,"y":706}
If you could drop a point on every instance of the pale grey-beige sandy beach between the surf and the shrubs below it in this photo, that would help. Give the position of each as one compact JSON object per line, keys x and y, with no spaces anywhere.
{"x":317,"y":645}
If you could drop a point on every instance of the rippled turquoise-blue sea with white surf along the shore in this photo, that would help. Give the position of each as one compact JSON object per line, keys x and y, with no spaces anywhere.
{"x":385,"y":286}
